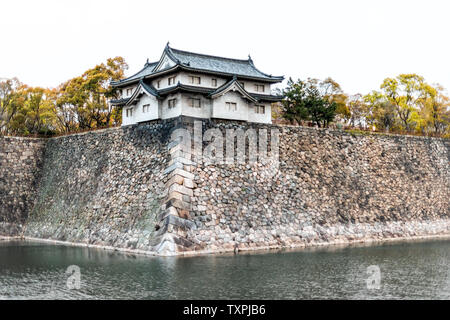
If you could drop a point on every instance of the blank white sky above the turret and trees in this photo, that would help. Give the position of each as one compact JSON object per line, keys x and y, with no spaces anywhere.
{"x":357,"y":43}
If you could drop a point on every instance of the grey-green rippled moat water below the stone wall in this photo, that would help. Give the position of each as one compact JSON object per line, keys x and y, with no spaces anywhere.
{"x":412,"y":270}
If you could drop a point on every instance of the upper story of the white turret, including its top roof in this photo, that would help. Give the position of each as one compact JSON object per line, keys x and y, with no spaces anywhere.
{"x":177,"y":68}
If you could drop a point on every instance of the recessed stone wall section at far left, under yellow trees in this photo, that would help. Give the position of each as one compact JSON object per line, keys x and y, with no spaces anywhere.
{"x":20,"y":163}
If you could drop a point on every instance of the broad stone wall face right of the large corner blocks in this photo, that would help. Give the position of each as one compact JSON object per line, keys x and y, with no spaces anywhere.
{"x":331,"y":187}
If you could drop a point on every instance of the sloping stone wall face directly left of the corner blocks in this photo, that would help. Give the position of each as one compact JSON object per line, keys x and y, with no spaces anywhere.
{"x":103,"y":188}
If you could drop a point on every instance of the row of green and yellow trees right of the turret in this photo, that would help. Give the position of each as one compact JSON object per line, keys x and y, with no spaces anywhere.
{"x":404,"y":104}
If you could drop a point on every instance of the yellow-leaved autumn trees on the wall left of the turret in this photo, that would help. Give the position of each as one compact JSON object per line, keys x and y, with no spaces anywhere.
{"x":78,"y":104}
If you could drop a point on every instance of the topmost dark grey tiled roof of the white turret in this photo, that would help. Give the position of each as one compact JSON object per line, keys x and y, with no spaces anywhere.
{"x":206,"y":63}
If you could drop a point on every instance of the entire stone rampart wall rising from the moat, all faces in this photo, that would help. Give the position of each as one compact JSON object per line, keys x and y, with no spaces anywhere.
{"x":135,"y":188}
